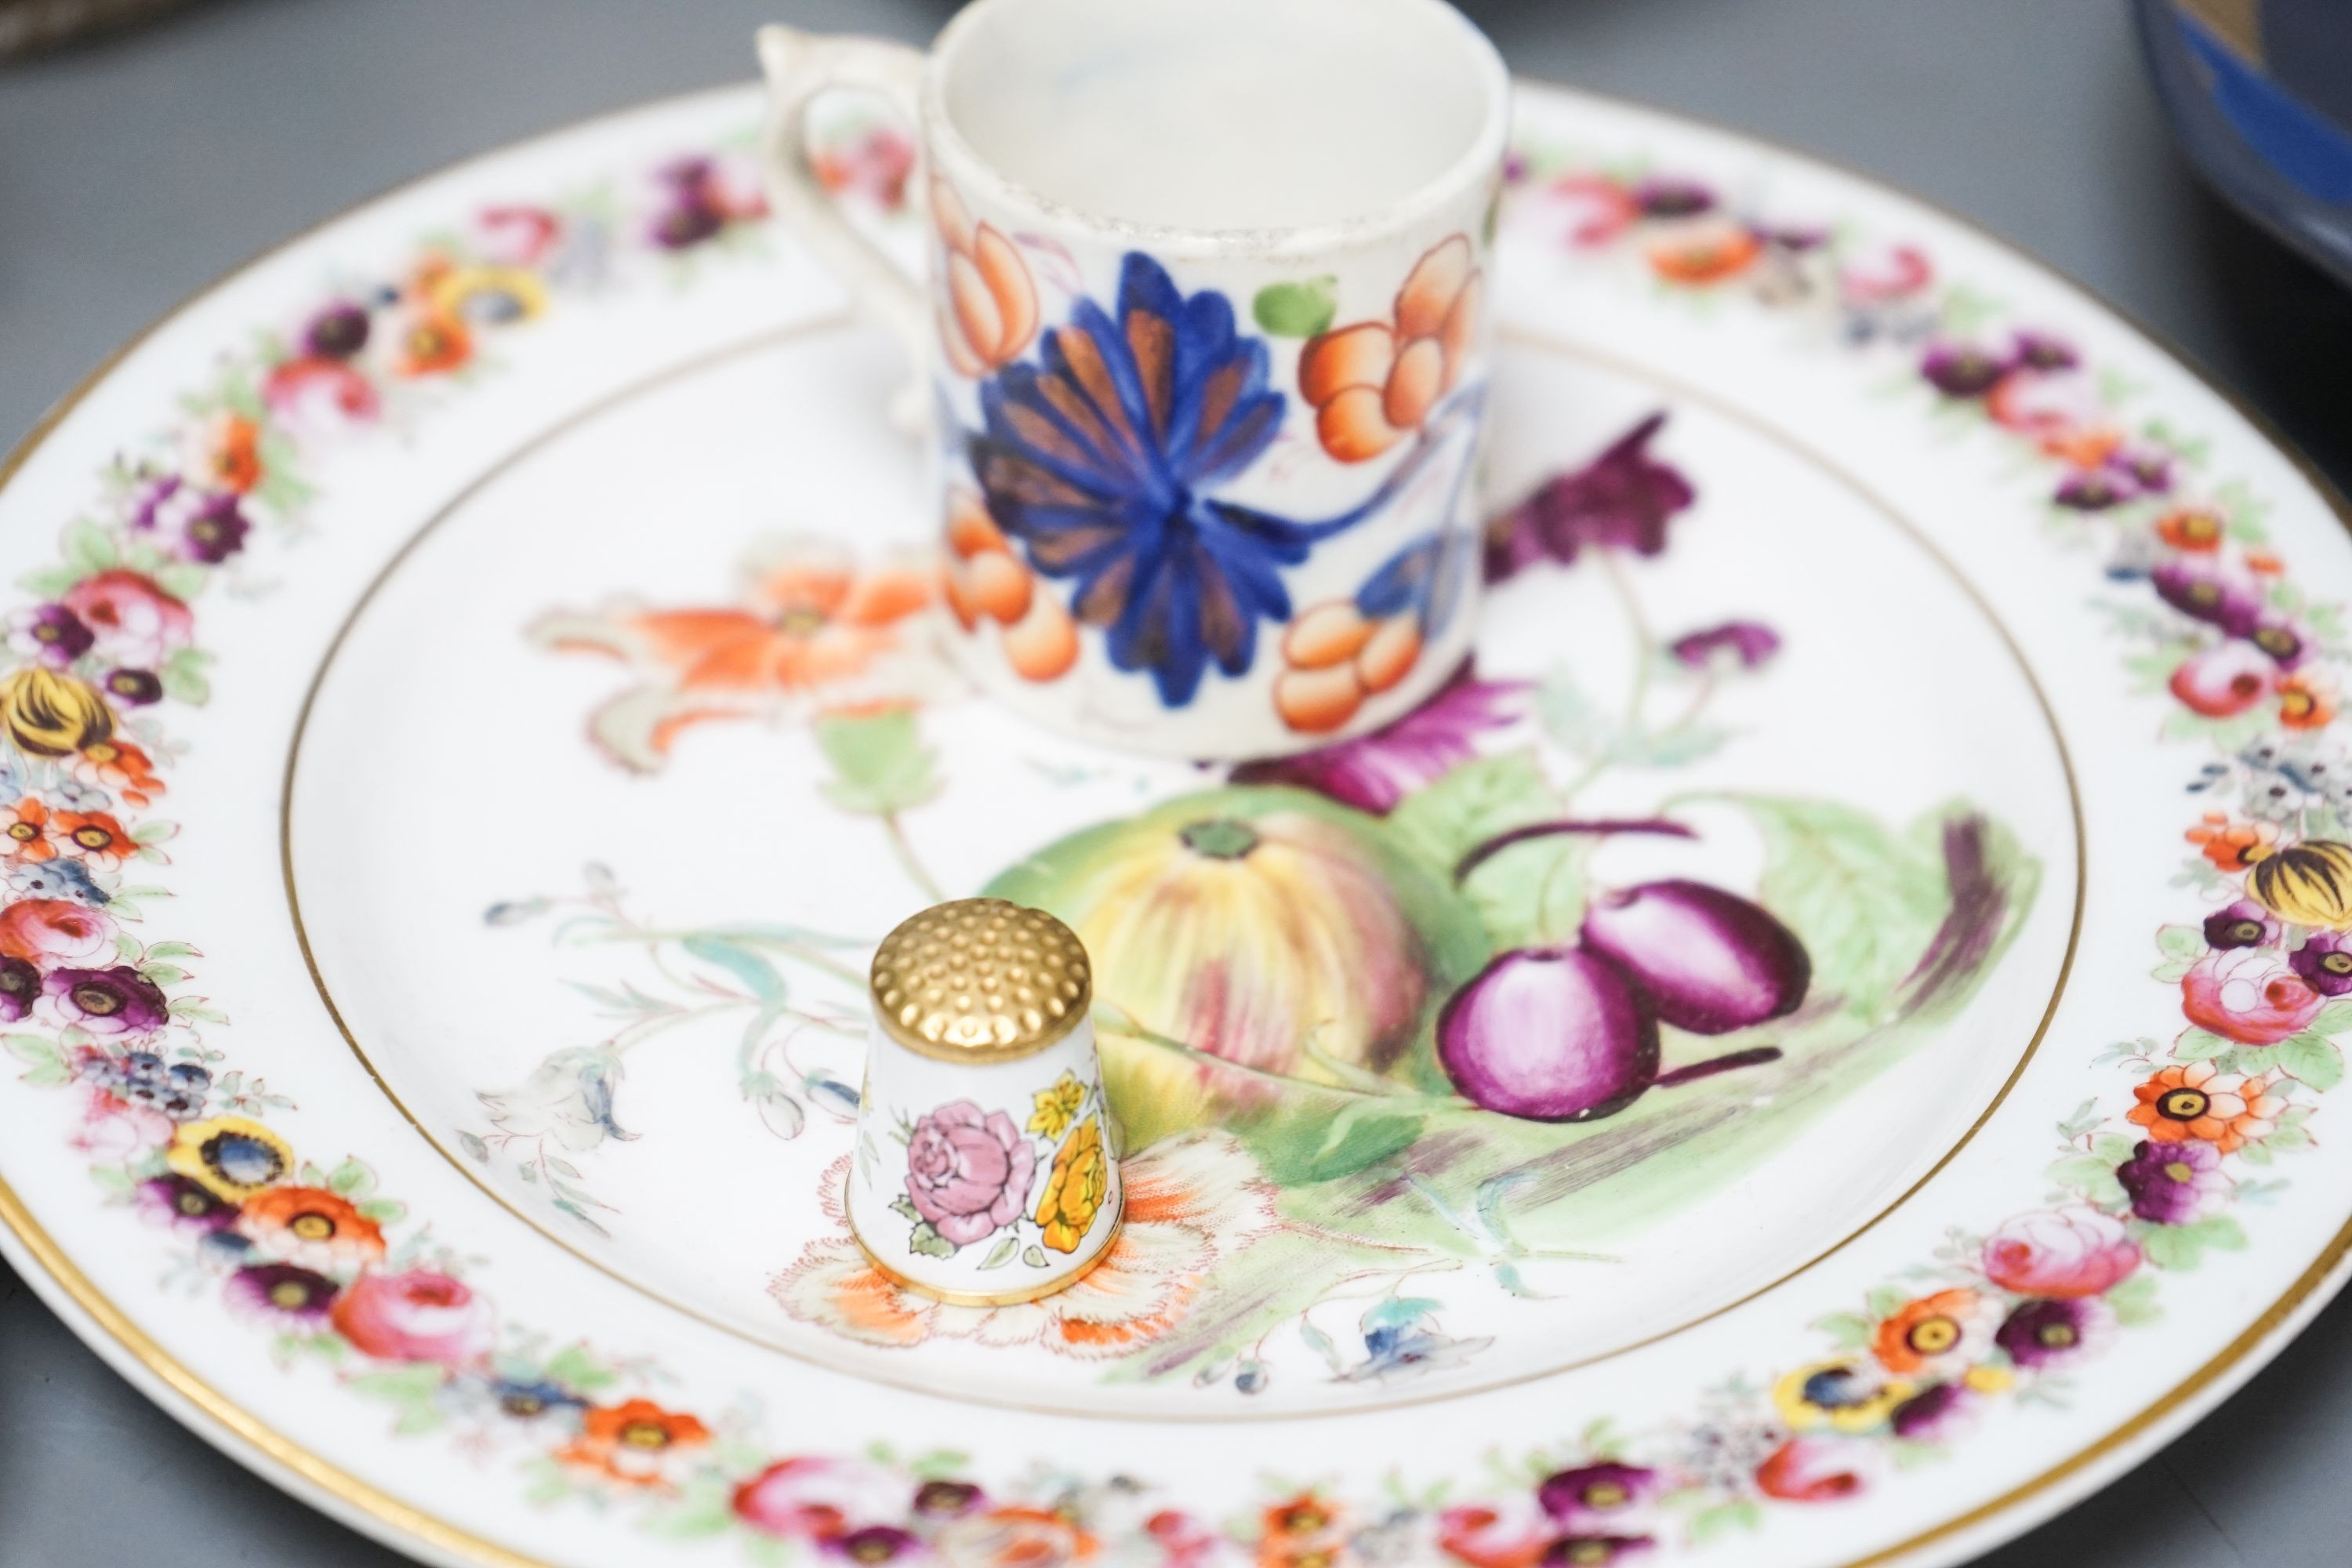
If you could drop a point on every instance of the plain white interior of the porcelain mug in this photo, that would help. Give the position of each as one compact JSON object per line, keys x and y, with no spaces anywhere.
{"x":1222,"y":114}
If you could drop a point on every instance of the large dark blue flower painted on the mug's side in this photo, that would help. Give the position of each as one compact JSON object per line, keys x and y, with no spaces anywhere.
{"x":1102,"y":462}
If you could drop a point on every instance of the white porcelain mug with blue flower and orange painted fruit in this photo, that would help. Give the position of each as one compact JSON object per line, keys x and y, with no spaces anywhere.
{"x":1208,"y":337}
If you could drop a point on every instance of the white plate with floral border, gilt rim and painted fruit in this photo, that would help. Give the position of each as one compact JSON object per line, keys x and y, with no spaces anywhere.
{"x":497,"y":949}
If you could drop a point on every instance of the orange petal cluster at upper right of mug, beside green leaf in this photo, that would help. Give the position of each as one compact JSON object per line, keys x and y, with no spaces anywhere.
{"x":1375,"y":382}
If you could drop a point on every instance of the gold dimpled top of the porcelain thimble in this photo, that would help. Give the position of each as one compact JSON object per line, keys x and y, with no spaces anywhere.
{"x":980,"y":981}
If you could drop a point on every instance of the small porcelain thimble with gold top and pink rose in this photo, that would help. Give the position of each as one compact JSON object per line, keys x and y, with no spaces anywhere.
{"x":987,"y":1167}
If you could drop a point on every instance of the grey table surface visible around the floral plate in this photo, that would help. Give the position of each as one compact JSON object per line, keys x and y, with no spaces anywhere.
{"x":140,"y":168}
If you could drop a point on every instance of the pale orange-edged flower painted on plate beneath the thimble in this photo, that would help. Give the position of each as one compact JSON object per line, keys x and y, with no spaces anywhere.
{"x":1189,"y":1202}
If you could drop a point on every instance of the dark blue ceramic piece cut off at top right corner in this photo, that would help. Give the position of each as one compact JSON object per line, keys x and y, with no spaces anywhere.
{"x":2261,"y":98}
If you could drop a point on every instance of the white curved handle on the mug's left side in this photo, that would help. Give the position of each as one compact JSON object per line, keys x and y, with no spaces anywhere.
{"x":801,"y":67}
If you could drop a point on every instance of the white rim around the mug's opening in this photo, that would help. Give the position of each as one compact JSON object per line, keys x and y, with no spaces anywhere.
{"x":1483,"y":156}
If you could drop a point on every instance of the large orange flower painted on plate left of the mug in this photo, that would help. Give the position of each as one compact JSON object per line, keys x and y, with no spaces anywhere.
{"x":815,"y":634}
